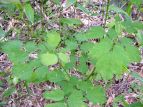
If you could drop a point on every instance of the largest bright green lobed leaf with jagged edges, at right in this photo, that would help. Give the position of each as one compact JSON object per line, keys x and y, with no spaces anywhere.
{"x":111,"y":59}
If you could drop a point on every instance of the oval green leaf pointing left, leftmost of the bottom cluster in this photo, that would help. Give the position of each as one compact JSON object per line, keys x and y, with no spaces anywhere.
{"x":55,"y":95}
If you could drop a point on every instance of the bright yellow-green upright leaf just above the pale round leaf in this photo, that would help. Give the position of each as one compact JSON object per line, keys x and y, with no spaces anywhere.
{"x":53,"y":39}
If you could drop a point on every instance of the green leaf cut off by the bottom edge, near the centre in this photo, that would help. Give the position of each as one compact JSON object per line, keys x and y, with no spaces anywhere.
{"x":76,"y":99}
